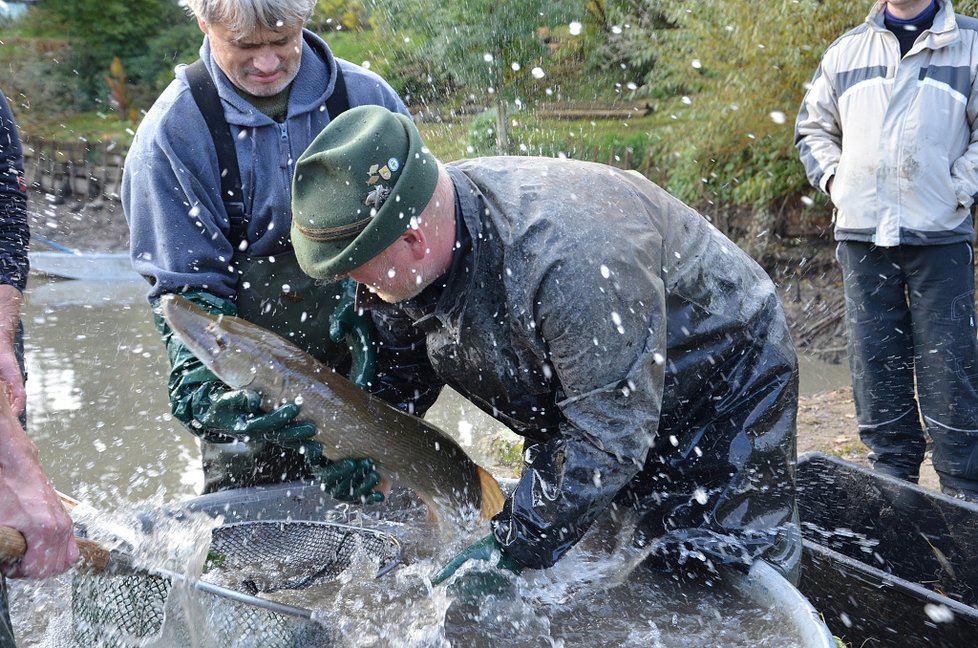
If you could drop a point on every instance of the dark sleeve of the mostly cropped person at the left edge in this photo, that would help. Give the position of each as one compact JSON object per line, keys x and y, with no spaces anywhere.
{"x":14,"y":232}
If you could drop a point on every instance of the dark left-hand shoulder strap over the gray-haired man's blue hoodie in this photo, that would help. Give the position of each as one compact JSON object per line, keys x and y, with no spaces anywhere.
{"x":209,"y":103}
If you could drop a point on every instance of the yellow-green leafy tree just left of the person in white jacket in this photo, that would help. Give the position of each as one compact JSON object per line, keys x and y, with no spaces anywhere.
{"x":732,"y":73}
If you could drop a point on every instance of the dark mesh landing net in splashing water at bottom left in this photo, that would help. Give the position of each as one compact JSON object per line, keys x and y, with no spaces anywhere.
{"x":140,"y":609}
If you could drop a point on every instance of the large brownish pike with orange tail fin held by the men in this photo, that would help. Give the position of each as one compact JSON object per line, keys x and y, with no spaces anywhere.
{"x":349,"y":421}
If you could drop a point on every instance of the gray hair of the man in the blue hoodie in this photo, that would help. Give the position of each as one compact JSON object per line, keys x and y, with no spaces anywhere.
{"x":245,"y":16}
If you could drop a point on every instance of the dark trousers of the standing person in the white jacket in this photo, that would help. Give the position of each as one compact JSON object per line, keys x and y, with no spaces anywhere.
{"x":913,"y":354}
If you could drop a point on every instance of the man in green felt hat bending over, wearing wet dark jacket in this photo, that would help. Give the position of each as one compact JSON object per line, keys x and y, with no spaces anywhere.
{"x":644,"y":358}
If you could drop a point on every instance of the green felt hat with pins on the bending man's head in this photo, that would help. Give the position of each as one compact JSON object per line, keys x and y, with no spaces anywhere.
{"x":356,"y":189}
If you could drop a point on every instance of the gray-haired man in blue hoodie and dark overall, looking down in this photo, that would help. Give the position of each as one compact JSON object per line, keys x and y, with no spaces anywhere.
{"x":207,"y":191}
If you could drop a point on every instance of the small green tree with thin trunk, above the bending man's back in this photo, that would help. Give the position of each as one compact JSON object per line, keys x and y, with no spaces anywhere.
{"x":495,"y":49}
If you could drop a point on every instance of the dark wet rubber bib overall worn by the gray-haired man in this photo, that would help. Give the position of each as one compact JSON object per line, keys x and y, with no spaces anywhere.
{"x":273,"y":292}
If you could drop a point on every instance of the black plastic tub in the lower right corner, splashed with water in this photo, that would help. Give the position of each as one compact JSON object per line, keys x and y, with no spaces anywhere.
{"x":887,"y":563}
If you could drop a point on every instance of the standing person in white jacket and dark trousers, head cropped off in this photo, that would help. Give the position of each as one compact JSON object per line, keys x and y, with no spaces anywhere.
{"x":886,"y":129}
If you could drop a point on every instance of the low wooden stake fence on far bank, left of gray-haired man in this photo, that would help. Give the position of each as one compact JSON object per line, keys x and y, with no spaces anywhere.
{"x":76,"y":170}
